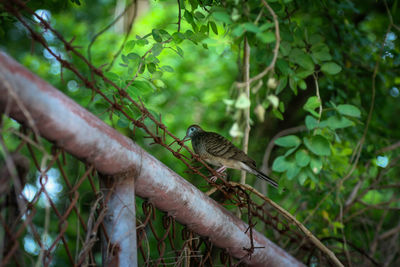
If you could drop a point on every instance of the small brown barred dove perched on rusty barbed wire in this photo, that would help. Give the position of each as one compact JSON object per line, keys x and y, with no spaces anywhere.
{"x":216,"y":150}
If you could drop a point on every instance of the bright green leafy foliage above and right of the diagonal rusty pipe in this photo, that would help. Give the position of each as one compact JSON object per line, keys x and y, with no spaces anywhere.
{"x":336,"y":72}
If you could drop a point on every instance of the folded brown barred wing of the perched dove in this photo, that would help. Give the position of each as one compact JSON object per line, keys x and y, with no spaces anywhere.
{"x":218,"y":146}
